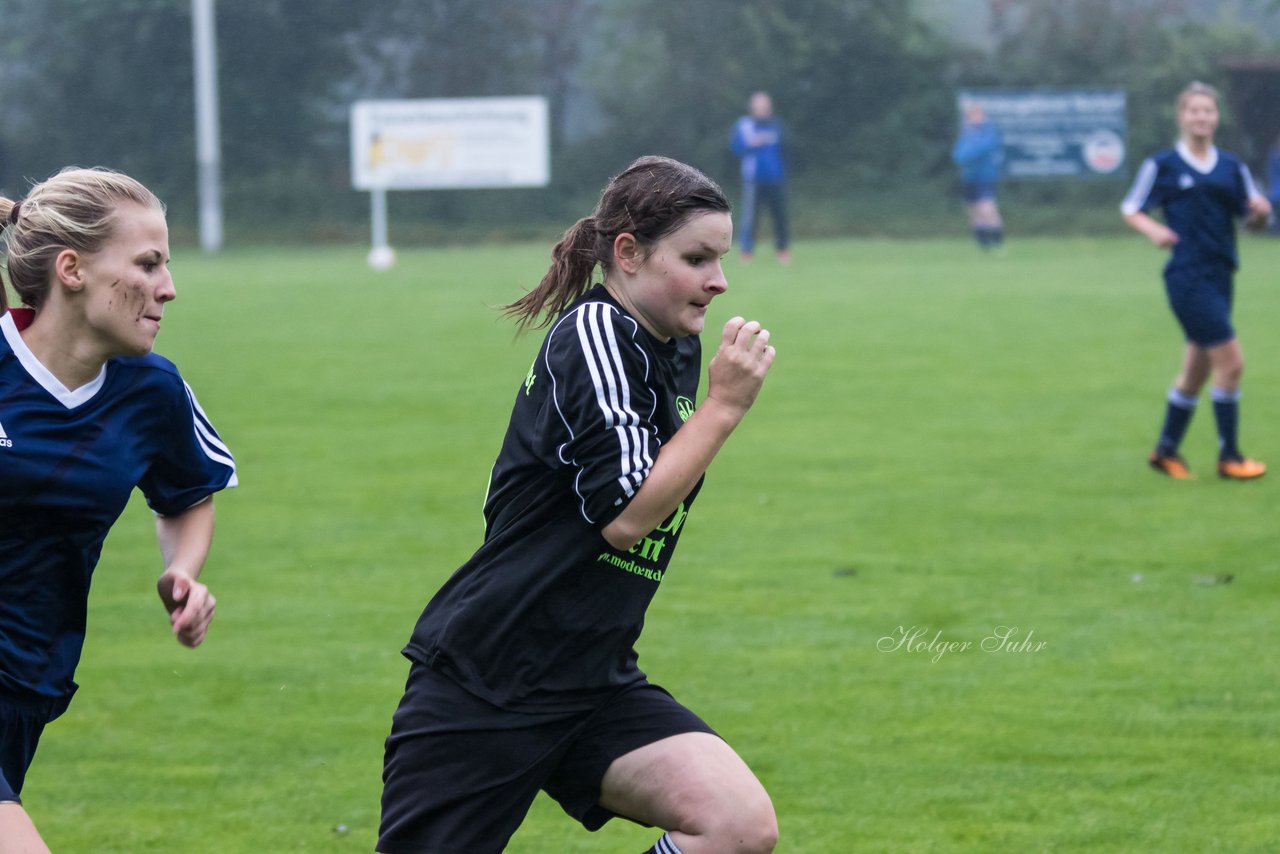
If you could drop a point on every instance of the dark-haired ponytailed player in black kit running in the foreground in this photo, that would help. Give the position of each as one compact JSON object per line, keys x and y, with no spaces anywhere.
{"x":524,"y":668}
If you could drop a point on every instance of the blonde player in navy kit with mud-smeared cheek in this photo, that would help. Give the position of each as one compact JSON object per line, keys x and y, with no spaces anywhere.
{"x":88,"y":413}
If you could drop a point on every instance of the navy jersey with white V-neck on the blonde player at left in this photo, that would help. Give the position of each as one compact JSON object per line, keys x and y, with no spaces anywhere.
{"x":68,"y":463}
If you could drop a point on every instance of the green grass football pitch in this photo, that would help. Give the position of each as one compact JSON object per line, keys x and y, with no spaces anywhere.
{"x":949,"y":444}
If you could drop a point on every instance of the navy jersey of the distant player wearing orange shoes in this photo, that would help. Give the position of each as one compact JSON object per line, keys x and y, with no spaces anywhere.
{"x":1200,"y":200}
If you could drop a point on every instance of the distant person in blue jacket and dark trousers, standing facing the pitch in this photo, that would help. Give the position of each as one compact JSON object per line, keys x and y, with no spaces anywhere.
{"x":758,"y":141}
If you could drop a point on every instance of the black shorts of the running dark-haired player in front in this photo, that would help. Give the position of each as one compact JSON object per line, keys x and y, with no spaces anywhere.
{"x":461,"y":774}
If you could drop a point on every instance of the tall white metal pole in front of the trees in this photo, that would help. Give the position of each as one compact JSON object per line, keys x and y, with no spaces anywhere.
{"x":208,"y":148}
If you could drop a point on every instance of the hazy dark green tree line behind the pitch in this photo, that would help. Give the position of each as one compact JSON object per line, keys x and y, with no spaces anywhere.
{"x":867,"y":90}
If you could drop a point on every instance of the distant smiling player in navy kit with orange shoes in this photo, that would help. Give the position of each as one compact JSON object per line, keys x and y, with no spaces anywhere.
{"x":1203,"y":190}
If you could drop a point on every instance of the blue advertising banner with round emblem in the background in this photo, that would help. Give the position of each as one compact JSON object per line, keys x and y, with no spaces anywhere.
{"x":1057,"y":134}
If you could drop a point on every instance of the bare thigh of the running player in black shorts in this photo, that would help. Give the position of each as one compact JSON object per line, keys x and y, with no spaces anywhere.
{"x":693,"y":783}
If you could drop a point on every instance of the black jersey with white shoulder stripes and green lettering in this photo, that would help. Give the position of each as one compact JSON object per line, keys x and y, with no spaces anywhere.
{"x":546,"y":614}
